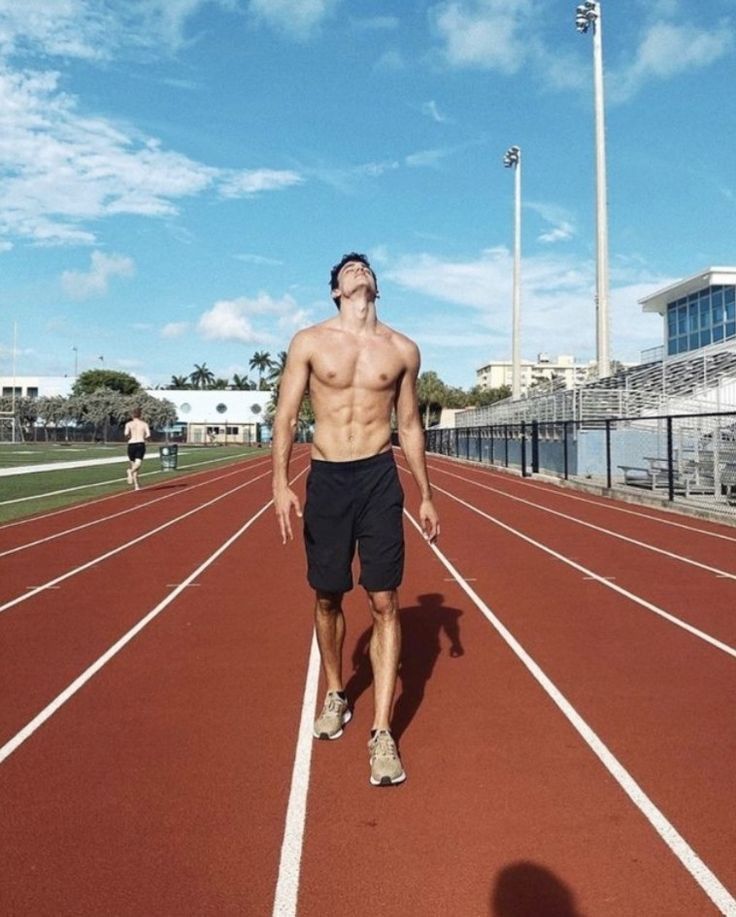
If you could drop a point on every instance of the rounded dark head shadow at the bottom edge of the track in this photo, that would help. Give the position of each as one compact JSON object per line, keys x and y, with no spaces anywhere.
{"x":526,"y":889}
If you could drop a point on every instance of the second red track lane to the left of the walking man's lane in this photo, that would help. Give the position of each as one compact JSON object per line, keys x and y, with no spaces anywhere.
{"x":58,"y":632}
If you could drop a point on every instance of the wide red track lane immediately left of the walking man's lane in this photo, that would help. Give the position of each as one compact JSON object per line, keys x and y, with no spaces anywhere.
{"x":161,"y":788}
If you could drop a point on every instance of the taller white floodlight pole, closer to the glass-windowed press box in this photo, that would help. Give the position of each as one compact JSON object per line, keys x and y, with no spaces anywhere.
{"x":588,"y":15}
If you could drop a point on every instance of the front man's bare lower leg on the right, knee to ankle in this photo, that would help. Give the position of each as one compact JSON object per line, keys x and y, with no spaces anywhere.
{"x":385,"y":649}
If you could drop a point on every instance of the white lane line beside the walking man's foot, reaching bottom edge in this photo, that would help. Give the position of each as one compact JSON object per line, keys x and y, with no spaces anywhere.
{"x":287,"y":884}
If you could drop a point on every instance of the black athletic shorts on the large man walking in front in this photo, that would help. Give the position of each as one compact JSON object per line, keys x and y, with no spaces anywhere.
{"x":354,"y":502}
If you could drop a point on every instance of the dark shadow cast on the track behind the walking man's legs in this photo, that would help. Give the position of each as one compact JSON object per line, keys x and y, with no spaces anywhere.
{"x":422,"y":627}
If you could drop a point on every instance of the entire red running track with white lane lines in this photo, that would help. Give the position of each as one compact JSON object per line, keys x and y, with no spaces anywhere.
{"x":565,"y":711}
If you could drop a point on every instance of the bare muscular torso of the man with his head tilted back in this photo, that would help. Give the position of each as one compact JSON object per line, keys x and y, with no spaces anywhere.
{"x":353,"y":381}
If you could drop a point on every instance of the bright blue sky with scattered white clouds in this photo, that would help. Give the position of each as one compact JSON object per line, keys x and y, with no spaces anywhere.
{"x":178,"y":176}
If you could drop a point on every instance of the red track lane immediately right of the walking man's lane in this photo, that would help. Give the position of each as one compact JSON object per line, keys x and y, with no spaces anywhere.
{"x":658,"y":697}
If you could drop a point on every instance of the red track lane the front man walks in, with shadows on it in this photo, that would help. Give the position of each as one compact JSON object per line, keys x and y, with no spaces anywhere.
{"x":496,"y":777}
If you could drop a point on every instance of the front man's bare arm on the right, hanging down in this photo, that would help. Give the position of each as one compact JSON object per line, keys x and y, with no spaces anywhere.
{"x":411,"y":440}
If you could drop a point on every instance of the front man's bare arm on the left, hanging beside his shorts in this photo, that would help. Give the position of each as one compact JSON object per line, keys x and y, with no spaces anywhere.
{"x":291,"y":391}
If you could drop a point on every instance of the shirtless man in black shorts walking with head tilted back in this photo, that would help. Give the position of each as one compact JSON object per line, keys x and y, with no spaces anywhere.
{"x":356,"y":370}
